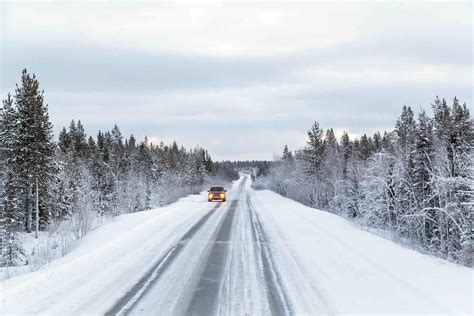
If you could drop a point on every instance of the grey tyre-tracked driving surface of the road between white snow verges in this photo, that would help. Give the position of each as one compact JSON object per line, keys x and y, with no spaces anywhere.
{"x":221,"y":265}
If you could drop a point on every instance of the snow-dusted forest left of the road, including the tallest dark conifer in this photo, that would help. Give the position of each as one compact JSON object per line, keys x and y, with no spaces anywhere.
{"x":79,"y":177}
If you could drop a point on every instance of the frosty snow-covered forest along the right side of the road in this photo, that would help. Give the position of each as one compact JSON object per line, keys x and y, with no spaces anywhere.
{"x":416,"y":181}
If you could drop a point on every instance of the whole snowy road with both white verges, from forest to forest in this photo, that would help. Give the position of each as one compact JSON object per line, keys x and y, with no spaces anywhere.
{"x":257,"y":254}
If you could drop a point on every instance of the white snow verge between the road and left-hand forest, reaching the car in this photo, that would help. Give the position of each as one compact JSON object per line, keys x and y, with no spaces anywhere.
{"x":108,"y":260}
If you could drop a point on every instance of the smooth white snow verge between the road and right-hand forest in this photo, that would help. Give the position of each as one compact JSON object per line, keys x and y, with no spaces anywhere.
{"x":354,"y":271}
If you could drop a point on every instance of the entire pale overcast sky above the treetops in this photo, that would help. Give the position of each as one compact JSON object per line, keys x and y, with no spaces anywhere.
{"x":241,"y":80}
